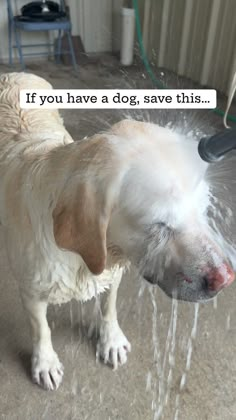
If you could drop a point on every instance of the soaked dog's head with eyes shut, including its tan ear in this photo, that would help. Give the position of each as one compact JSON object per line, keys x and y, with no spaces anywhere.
{"x":139,"y":193}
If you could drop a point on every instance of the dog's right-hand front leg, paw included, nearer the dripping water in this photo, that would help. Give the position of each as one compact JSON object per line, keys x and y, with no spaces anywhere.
{"x":113,"y":346}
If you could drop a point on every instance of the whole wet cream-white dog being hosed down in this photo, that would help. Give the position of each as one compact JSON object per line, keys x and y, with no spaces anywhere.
{"x":75,"y":215}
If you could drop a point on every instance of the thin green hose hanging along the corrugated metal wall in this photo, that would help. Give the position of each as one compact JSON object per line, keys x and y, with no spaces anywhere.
{"x":147,"y":66}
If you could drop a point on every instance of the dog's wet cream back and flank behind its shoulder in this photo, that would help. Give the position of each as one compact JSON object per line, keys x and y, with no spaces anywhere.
{"x":25,"y":137}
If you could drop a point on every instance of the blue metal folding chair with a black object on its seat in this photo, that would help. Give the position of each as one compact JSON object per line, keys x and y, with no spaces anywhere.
{"x":17,"y":24}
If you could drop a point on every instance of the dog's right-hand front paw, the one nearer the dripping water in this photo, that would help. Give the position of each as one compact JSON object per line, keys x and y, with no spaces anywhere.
{"x":113,"y":346}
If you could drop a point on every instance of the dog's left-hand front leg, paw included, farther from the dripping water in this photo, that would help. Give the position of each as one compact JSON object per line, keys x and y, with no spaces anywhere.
{"x":47,"y":371}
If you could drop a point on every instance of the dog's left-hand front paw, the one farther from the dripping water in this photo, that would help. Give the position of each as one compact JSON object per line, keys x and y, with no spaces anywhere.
{"x":47,"y":370}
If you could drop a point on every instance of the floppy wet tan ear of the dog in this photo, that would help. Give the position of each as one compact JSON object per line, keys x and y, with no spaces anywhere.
{"x":80,"y":223}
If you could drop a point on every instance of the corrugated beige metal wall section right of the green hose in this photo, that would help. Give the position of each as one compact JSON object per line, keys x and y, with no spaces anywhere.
{"x":194,"y":38}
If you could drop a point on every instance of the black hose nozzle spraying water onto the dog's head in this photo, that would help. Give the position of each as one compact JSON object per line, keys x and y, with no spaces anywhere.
{"x":213,"y":149}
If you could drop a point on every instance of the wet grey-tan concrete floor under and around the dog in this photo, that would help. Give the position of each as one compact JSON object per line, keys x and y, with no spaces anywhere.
{"x":91,"y":390}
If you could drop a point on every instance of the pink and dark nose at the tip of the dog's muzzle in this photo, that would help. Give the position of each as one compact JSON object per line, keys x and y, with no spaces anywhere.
{"x":217,"y":278}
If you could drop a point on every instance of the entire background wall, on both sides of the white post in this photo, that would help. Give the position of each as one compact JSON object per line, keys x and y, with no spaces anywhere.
{"x":194,"y":38}
